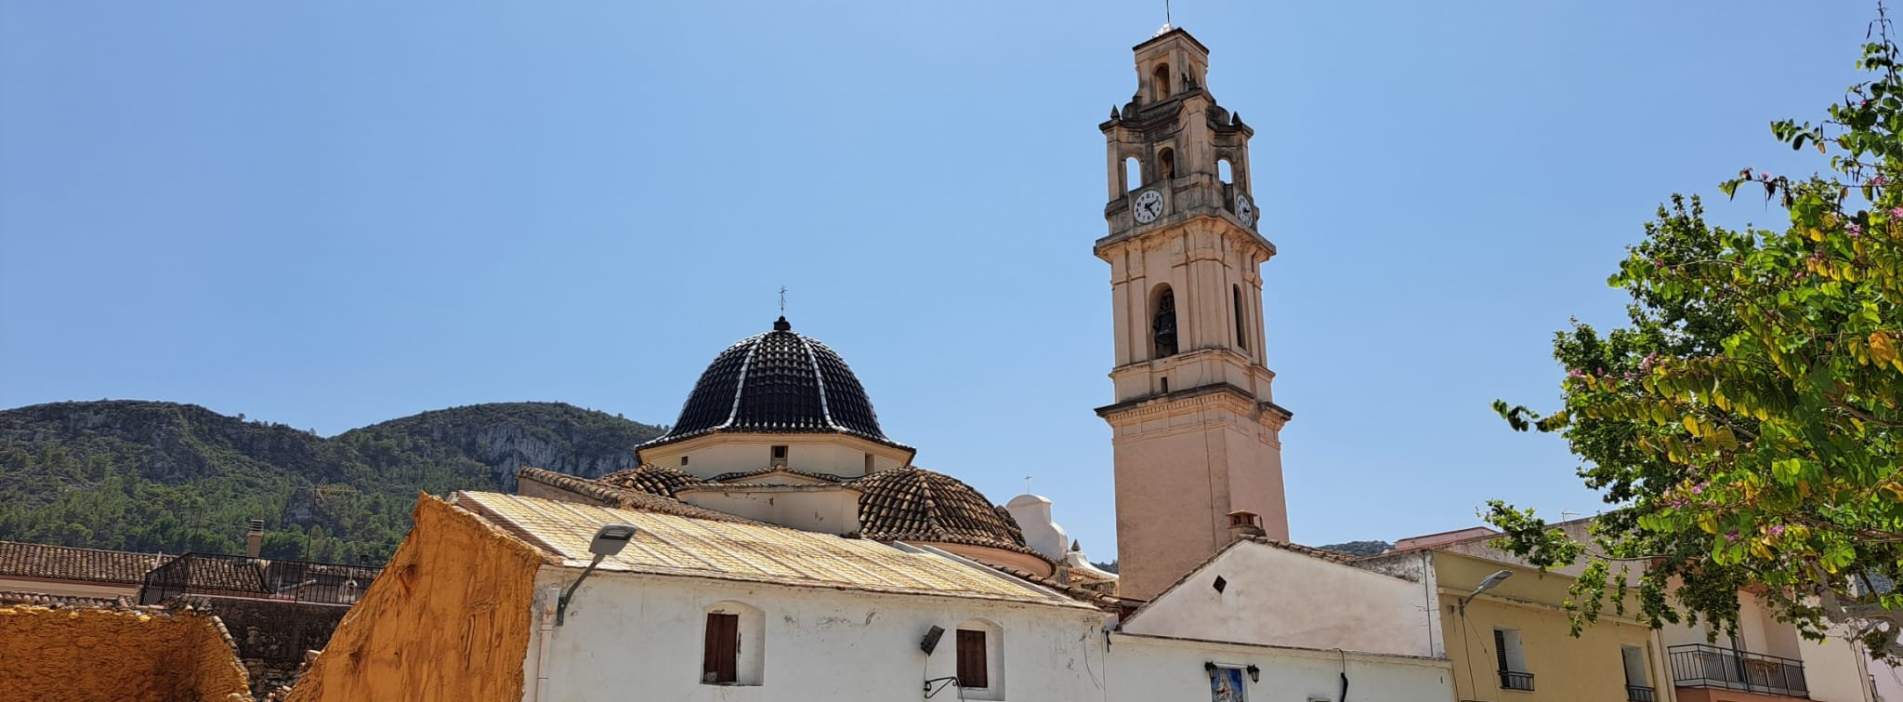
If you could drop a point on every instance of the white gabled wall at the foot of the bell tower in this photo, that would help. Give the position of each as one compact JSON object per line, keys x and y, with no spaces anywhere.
{"x":1284,"y":598}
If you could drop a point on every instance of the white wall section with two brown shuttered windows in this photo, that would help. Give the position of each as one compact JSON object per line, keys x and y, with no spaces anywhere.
{"x":640,"y":638}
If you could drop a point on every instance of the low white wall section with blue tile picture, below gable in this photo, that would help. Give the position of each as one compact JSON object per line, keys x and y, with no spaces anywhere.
{"x":1152,"y":669}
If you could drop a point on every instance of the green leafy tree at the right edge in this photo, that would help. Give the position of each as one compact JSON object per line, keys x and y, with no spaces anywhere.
{"x":1746,"y":423}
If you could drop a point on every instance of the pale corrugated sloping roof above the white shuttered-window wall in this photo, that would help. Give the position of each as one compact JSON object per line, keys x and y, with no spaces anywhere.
{"x":686,"y":547}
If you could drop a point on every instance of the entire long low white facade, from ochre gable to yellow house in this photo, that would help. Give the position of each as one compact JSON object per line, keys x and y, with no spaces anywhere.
{"x":640,"y":638}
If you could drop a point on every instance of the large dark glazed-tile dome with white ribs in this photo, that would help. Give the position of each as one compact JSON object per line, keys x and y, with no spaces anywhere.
{"x":775,"y":383}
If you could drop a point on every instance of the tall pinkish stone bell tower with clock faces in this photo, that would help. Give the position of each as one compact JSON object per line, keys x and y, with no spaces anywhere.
{"x":1194,"y":425}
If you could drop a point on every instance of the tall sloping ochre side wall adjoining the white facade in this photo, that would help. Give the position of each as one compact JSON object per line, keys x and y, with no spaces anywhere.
{"x":446,"y":621}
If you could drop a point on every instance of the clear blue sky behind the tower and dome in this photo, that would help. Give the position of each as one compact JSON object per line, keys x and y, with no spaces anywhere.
{"x":332,"y":214}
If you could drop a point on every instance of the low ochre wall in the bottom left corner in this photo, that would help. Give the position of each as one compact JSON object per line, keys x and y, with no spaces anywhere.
{"x":113,"y":655}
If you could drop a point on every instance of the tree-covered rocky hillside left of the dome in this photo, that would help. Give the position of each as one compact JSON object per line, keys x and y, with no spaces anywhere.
{"x":155,"y":477}
